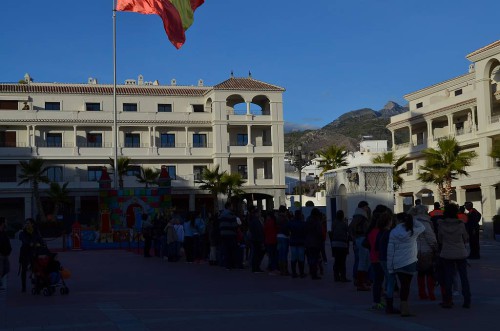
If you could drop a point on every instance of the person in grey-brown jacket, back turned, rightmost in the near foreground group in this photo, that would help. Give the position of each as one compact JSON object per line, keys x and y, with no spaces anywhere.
{"x":453,"y":237}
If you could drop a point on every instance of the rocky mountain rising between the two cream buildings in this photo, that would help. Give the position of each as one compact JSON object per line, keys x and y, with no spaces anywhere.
{"x":348,"y":129}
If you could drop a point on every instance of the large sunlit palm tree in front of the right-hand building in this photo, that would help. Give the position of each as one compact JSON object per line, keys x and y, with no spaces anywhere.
{"x":445,"y":164}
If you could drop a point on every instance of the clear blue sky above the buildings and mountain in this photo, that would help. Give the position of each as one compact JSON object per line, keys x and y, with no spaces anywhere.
{"x":331,"y":56}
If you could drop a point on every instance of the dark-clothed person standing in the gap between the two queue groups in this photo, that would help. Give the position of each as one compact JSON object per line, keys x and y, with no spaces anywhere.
{"x":340,"y":247}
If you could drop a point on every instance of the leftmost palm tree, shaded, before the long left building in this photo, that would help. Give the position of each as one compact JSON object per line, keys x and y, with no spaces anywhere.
{"x":33,"y":172}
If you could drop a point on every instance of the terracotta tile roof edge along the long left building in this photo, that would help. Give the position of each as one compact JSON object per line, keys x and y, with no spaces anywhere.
{"x":102,"y":89}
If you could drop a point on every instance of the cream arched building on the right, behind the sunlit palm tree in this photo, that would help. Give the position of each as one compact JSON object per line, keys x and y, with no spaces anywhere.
{"x":465,"y":107}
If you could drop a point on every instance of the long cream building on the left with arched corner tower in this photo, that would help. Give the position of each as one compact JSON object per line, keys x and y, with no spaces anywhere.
{"x":237,"y":124}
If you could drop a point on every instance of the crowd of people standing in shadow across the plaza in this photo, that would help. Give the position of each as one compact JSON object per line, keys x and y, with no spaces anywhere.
{"x":389,"y":250}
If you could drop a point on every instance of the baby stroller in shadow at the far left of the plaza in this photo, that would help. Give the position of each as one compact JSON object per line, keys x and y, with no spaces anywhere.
{"x":46,"y":274}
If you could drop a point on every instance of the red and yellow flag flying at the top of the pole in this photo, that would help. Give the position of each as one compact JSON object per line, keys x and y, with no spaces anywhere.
{"x":177,"y":15}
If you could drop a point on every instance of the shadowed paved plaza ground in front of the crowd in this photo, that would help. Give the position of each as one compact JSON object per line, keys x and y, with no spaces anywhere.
{"x":121,"y":290}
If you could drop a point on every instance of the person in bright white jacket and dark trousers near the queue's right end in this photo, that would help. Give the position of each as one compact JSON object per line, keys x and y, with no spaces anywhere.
{"x":402,"y":255}
